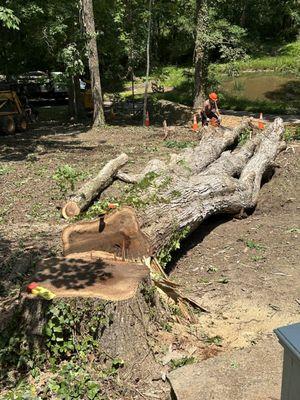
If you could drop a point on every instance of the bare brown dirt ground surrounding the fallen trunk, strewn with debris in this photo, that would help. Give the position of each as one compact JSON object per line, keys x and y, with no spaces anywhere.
{"x":244,"y":271}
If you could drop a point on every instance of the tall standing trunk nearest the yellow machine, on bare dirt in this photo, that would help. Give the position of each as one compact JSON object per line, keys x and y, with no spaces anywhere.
{"x":89,"y":24}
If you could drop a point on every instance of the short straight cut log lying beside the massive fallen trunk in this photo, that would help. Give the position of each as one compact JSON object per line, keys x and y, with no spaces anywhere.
{"x":93,"y":187}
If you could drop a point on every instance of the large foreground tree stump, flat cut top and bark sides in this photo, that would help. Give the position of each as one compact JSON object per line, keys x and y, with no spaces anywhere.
{"x":127,"y":319}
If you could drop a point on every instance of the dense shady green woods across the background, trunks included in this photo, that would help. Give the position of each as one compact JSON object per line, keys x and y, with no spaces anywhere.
{"x":182,"y":32}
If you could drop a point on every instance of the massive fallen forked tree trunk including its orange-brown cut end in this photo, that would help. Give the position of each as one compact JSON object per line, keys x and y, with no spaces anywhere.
{"x":195,"y":184}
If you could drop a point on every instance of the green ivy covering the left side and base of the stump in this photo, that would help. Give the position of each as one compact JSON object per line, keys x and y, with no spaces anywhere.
{"x":70,"y":338}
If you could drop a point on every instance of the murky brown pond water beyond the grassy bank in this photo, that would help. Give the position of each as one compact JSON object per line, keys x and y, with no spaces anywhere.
{"x":264,"y":87}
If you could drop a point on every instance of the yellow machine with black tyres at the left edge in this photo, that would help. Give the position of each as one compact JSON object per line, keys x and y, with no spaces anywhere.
{"x":12,"y":114}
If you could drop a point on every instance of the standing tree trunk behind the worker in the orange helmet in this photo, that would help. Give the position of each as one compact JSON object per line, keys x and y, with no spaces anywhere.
{"x":200,"y":53}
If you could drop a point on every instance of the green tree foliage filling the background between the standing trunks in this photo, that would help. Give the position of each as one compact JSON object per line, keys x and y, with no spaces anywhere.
{"x":234,"y":31}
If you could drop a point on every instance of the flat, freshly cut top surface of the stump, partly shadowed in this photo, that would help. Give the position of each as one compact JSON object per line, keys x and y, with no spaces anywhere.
{"x":91,"y":277}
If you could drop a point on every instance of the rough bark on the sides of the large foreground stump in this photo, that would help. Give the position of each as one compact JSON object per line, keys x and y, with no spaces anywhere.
{"x":120,"y":325}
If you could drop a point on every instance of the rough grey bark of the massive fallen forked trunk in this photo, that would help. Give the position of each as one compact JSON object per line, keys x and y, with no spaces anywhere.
{"x":227,"y":185}
